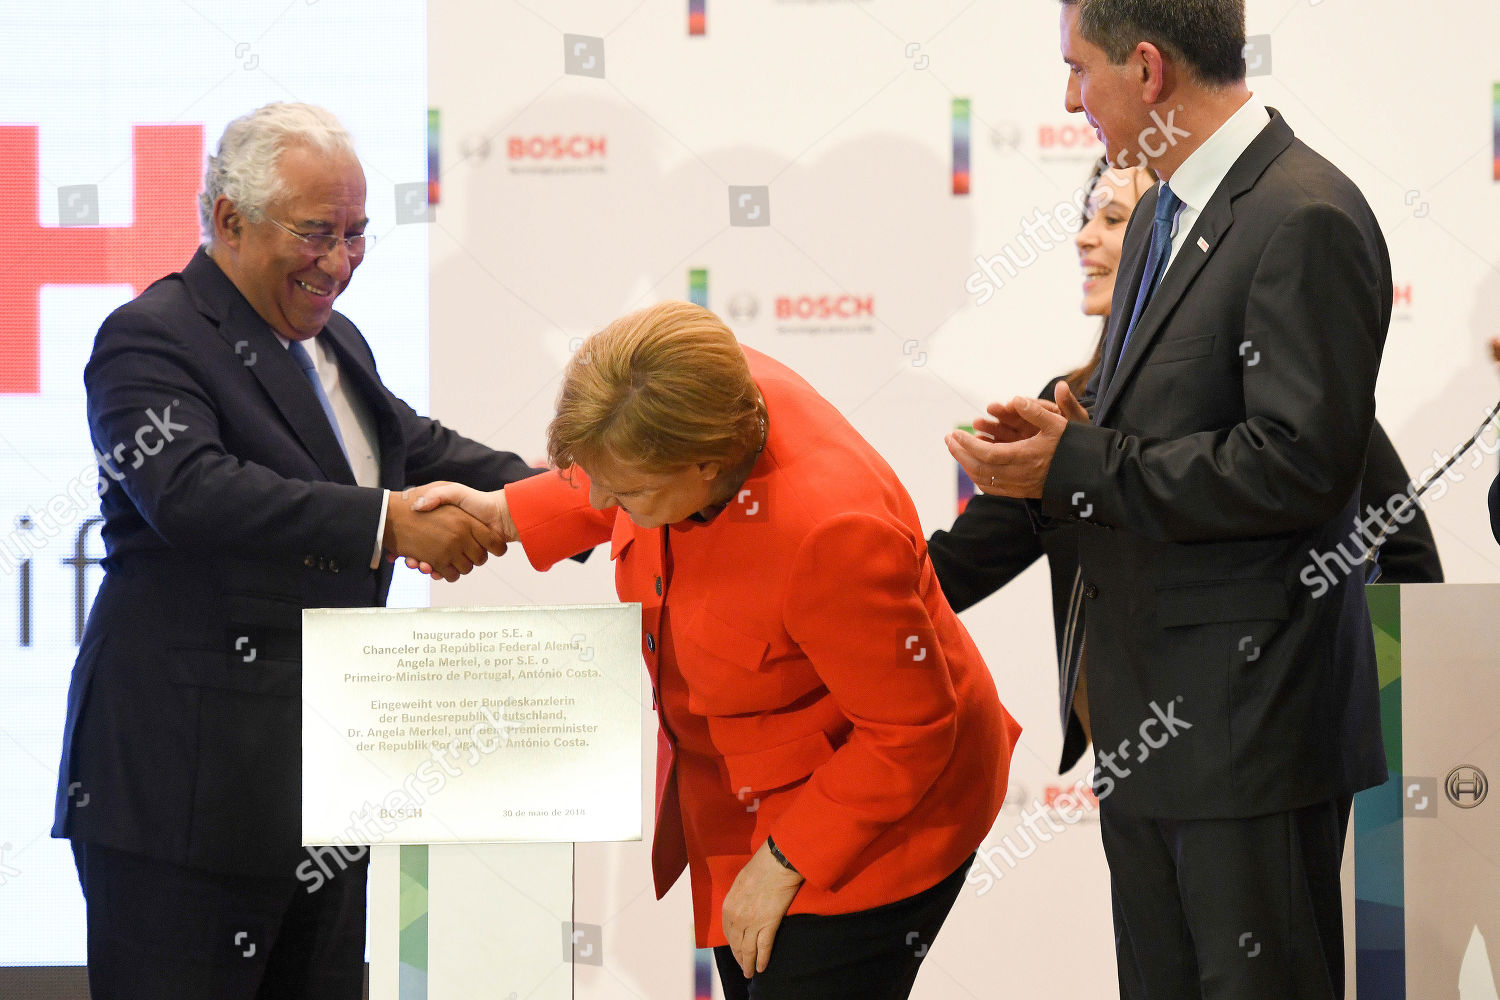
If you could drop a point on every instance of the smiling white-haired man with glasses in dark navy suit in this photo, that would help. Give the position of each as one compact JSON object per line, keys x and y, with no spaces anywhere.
{"x":250,"y":457}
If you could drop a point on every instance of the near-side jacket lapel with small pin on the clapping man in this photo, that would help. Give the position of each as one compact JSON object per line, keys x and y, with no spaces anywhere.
{"x":1201,"y":245}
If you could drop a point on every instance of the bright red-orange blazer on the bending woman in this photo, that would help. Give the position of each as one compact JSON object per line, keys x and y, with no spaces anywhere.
{"x":811,"y":680}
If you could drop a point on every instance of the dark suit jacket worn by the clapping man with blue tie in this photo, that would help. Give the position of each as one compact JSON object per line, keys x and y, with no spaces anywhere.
{"x":1225,"y":457}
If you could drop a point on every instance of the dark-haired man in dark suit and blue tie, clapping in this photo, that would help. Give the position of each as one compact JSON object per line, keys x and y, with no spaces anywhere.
{"x":1216,"y":457}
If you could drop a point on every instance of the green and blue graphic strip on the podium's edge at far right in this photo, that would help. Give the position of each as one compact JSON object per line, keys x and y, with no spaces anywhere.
{"x":1379,"y":846}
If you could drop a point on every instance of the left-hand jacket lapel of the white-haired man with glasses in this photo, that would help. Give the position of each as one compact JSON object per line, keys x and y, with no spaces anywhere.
{"x":256,"y":344}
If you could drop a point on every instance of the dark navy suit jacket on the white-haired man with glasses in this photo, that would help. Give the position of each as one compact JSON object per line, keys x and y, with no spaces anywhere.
{"x":184,"y":716}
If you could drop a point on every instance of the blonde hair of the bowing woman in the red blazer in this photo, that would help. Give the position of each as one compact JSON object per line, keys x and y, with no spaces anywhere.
{"x":658,"y":391}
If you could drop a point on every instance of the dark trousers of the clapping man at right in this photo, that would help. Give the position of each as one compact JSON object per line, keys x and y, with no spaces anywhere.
{"x":1240,"y":909}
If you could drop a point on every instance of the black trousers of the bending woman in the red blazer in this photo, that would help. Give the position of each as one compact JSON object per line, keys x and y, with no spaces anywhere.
{"x":866,"y":956}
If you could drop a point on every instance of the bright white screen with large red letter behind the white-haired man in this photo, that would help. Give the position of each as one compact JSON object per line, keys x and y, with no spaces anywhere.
{"x":107,"y":112}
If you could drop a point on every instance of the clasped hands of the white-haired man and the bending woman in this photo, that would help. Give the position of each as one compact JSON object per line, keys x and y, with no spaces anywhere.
{"x":446,"y":530}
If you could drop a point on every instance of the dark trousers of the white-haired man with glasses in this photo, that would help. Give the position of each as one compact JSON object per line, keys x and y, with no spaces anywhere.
{"x":160,"y":932}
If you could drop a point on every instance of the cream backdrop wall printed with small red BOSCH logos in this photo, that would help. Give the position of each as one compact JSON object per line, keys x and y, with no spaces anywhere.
{"x":844,"y":110}
